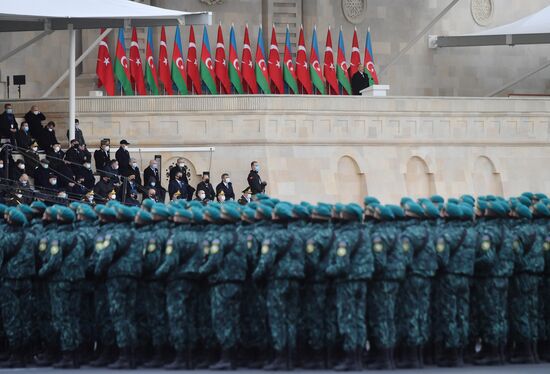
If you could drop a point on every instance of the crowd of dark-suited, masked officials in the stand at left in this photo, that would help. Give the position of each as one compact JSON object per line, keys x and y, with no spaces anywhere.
{"x":68,"y":175}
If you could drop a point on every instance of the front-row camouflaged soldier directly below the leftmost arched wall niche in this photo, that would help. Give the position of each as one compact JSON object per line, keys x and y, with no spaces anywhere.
{"x":350,"y":266}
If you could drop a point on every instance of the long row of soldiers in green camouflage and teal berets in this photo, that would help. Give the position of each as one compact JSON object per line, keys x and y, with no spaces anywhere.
{"x":277,"y":285}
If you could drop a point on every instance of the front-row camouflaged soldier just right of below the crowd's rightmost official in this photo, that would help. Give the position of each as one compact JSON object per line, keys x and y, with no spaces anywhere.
{"x":282,"y":264}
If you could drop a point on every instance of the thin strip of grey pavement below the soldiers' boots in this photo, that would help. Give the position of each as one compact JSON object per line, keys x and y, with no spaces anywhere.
{"x":510,"y":369}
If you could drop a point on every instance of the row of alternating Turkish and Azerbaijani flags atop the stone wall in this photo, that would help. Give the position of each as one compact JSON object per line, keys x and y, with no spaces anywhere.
{"x":227,"y":74}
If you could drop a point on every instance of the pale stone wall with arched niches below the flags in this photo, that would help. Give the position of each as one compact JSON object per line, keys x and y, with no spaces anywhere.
{"x":334,"y":148}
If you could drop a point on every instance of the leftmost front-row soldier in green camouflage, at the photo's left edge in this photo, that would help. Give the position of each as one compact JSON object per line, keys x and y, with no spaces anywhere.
{"x":17,"y":268}
